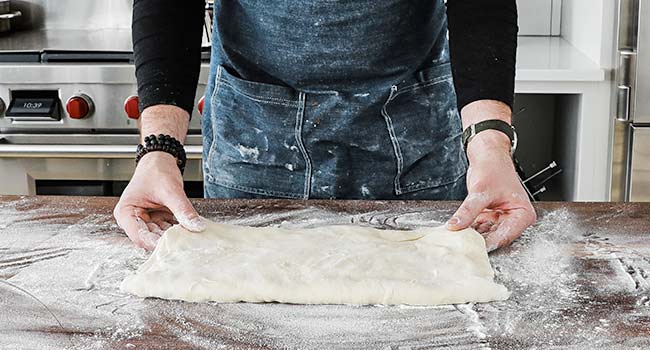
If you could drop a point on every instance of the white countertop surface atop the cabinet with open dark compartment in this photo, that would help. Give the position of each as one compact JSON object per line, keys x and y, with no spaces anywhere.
{"x":554,"y":59}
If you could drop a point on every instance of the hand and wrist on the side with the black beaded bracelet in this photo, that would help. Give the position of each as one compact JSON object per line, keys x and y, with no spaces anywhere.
{"x":154,"y":199}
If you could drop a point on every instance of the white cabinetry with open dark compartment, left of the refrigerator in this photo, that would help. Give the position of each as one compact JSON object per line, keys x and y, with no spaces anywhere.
{"x":564,"y":87}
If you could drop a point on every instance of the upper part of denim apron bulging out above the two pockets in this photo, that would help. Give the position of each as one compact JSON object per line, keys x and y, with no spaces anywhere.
{"x":318,"y":45}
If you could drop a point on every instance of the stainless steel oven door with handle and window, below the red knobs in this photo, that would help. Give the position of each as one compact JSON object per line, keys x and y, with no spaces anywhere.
{"x":78,"y":164}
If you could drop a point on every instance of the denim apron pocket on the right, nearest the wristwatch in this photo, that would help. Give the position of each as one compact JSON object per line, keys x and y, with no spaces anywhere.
{"x":425,"y":129}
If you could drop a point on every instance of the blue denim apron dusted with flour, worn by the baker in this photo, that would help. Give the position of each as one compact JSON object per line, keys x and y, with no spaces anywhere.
{"x":331,"y":99}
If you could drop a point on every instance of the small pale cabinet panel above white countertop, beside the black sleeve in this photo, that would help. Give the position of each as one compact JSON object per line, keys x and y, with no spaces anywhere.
{"x":539,"y":17}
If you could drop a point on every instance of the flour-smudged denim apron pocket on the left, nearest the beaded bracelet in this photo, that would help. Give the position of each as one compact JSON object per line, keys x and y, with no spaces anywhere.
{"x":257,"y":146}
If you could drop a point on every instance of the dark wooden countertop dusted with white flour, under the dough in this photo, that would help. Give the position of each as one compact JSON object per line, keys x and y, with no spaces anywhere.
{"x":580,"y":279}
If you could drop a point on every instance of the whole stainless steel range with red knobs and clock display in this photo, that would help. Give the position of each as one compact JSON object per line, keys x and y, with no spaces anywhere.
{"x":68,"y":104}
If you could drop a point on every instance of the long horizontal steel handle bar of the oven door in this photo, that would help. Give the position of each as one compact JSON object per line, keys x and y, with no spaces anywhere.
{"x":81,"y":151}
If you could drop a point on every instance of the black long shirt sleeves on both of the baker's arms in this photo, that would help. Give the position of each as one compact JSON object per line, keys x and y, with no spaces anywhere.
{"x":167,"y":50}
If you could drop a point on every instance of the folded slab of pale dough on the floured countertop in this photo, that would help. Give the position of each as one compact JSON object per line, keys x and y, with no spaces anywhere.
{"x":325,"y":265}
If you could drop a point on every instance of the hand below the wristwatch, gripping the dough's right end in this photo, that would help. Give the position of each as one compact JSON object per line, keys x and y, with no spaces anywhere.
{"x":497,"y":205}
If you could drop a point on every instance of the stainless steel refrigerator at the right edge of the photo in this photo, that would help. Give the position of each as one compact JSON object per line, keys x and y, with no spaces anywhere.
{"x":631,"y":156}
